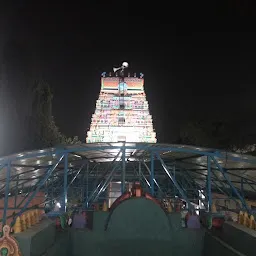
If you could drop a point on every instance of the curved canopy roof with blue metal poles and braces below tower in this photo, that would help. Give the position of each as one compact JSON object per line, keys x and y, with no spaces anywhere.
{"x":88,"y":169}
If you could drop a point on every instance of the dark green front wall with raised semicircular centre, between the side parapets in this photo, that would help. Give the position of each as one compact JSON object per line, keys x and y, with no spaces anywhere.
{"x":138,"y":226}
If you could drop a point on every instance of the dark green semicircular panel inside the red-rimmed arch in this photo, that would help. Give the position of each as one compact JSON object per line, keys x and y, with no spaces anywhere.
{"x":138,"y":218}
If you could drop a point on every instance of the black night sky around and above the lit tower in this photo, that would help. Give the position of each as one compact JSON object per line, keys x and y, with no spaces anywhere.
{"x":199,"y":61}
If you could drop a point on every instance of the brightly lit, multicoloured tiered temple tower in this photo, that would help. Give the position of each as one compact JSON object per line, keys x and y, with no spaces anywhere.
{"x":122,"y":112}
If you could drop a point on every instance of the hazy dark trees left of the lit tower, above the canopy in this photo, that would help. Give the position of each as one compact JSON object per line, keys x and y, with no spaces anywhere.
{"x":26,"y":120}
